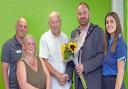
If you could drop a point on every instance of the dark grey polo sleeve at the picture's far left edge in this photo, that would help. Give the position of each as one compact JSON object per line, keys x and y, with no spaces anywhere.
{"x":5,"y":53}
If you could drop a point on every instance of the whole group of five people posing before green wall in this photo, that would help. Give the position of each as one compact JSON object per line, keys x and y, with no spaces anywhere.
{"x":102,"y":60}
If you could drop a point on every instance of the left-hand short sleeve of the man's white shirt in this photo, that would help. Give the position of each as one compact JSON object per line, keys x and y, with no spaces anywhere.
{"x":43,"y":48}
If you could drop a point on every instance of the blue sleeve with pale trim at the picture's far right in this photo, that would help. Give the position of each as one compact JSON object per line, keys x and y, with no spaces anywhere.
{"x":121,"y":51}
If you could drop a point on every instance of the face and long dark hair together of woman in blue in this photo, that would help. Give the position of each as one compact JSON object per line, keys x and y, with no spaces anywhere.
{"x":112,"y":30}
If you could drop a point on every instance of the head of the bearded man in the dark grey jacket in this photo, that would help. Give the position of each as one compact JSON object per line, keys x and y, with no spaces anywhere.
{"x":83,"y":15}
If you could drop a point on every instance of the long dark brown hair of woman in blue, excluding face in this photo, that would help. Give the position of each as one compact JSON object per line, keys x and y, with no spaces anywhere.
{"x":117,"y":32}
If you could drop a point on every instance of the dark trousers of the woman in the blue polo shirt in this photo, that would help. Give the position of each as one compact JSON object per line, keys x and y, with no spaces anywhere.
{"x":109,"y":82}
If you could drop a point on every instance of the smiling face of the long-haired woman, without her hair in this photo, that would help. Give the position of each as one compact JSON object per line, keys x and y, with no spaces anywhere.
{"x":110,"y":25}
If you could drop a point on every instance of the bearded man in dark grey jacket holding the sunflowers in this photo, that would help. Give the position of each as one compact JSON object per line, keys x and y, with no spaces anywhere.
{"x":91,"y":52}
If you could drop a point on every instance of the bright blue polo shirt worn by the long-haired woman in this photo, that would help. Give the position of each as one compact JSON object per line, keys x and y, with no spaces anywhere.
{"x":111,"y":58}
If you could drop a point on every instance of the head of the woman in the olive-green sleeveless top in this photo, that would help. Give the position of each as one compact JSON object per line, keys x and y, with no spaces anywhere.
{"x":29,"y":45}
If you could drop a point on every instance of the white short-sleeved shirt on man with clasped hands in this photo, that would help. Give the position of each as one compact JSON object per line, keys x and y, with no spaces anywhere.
{"x":50,"y":48}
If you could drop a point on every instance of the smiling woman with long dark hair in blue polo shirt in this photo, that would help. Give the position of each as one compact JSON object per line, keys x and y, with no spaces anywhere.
{"x":115,"y":53}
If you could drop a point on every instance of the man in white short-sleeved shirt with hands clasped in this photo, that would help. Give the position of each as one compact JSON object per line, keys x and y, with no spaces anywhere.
{"x":50,"y":51}
